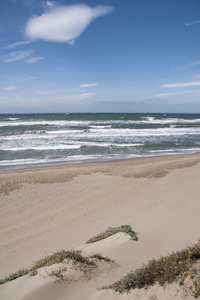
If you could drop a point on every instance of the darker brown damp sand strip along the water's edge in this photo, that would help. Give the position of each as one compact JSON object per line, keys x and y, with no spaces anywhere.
{"x":147,"y":167}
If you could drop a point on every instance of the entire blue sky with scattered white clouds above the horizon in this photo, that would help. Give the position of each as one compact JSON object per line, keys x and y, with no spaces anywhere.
{"x":100,"y":56}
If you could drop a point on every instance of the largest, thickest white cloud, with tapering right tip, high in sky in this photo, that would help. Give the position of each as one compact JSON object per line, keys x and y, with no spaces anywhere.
{"x":64,"y":24}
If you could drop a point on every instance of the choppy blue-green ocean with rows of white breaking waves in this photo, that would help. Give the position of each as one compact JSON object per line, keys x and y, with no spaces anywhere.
{"x":51,"y":139}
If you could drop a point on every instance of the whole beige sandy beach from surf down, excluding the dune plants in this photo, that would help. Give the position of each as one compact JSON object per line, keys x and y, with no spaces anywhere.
{"x":44,"y":210}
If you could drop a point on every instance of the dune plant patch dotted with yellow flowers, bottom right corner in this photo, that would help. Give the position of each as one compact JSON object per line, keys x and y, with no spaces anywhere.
{"x":178,"y":266}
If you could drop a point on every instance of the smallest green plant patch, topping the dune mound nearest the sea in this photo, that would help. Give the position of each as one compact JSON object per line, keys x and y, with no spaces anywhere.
{"x":113,"y":230}
